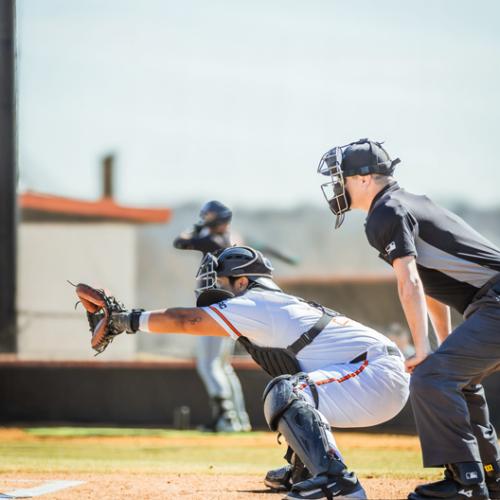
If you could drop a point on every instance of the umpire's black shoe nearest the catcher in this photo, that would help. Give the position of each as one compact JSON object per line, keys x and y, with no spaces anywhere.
{"x":462,"y":481}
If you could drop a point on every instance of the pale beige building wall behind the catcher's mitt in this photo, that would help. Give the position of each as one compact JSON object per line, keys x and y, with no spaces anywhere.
{"x":49,"y":254}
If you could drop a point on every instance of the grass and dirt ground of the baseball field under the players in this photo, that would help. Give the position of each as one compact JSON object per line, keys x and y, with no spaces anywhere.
{"x":117,"y":464}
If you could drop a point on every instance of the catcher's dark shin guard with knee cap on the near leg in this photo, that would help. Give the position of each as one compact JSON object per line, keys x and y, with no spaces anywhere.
{"x":304,"y":428}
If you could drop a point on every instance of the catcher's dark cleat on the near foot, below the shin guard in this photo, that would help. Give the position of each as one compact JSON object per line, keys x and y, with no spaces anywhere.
{"x":344,"y":486}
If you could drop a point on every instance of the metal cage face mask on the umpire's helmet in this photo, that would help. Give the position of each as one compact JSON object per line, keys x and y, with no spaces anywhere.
{"x":334,"y":191}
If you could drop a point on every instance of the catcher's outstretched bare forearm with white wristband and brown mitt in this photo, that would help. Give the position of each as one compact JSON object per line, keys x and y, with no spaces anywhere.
{"x":108,"y":318}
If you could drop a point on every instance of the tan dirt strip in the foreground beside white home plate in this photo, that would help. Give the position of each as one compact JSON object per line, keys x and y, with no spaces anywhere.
{"x":206,"y":487}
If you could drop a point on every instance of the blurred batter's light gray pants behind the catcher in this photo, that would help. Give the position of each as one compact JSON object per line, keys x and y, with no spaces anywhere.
{"x":213,"y":364}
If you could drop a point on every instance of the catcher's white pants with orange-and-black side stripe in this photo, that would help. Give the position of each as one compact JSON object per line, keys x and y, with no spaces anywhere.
{"x":362,"y":394}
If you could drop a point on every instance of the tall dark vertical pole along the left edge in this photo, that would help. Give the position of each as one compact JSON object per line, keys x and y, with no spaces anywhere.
{"x":8,"y":178}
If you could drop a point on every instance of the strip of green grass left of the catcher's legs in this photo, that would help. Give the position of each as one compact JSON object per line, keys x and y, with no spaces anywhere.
{"x":67,"y":449}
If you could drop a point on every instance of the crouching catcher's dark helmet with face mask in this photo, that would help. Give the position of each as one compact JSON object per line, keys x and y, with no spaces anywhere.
{"x":232,"y":262}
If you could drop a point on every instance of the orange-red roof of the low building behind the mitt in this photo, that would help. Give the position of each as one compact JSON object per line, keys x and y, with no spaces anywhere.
{"x":44,"y":207}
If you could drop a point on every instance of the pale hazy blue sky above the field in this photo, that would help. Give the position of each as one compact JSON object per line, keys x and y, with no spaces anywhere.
{"x":238,"y":100}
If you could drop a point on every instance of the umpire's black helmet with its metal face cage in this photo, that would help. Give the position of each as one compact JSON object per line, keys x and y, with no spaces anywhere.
{"x":362,"y":157}
